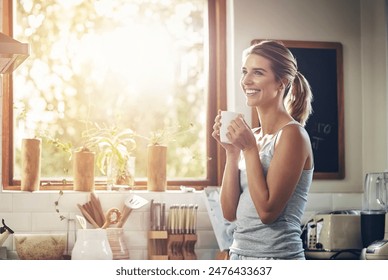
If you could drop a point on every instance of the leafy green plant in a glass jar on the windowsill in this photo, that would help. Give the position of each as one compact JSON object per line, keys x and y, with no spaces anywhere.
{"x":113,"y":148}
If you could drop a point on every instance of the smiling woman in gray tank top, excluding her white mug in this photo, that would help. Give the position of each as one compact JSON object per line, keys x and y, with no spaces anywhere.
{"x":268,"y":170}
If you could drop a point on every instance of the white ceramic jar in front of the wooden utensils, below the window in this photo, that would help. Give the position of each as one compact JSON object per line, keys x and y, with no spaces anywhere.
{"x":91,"y":244}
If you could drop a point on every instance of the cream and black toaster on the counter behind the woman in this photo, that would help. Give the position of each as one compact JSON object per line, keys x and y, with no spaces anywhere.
{"x":334,"y":235}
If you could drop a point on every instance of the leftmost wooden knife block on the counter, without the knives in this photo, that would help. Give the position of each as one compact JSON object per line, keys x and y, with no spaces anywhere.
{"x":157,"y":245}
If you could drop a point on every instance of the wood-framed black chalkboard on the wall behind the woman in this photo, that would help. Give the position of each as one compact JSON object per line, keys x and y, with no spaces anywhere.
{"x":322,"y":65}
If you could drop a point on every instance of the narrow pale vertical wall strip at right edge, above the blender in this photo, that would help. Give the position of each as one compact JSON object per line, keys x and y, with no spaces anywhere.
{"x":374,"y":85}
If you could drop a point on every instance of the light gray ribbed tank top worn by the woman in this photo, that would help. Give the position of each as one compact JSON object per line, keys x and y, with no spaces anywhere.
{"x":281,"y":239}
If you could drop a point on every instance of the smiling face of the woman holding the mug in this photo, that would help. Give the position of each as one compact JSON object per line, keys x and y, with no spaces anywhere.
{"x":258,"y":81}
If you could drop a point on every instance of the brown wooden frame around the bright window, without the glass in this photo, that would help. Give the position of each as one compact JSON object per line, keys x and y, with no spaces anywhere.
{"x":216,"y":100}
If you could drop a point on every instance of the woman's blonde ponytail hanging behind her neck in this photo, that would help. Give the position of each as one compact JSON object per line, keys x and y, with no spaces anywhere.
{"x":299,"y":98}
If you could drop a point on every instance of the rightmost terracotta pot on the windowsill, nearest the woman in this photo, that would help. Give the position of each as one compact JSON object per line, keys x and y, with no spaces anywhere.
{"x":157,"y":168}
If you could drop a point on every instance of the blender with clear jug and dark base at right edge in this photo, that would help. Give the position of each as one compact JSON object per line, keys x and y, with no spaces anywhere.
{"x":374,"y":207}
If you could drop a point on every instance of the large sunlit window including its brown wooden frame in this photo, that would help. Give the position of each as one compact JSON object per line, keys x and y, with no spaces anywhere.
{"x":143,"y":65}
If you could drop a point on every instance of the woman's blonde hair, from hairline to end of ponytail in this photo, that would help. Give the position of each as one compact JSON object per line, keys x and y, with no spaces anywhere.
{"x":298,"y":95}
